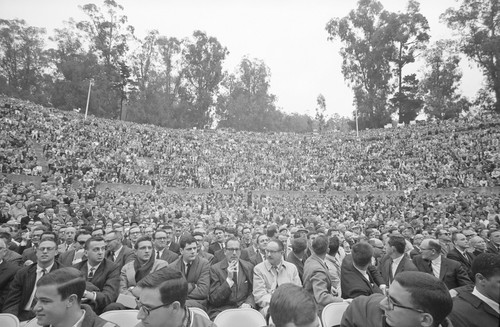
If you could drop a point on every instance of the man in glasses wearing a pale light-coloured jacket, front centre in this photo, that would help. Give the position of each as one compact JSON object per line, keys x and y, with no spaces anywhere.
{"x":271,"y":273}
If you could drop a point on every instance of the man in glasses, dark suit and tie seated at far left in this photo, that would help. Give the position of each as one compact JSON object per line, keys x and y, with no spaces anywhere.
{"x":21,"y":298}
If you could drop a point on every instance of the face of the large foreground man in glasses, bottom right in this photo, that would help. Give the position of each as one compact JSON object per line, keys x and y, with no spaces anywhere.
{"x":397,"y":316}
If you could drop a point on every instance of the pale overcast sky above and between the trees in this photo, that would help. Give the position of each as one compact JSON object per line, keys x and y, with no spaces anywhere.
{"x":288,"y":35}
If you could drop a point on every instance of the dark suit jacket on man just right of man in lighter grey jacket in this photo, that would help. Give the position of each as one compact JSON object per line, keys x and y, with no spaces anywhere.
{"x":354,"y":284}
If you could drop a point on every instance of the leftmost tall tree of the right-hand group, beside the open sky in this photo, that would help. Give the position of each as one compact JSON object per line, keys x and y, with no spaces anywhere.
{"x":366,"y":66}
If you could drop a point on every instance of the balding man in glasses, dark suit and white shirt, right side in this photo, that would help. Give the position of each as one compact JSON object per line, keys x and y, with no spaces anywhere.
{"x":432,"y":262}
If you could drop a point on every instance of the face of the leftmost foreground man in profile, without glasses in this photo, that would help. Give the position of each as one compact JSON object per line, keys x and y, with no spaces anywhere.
{"x":50,"y":308}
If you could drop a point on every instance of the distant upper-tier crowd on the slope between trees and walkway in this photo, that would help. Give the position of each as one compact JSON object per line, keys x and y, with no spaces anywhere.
{"x":462,"y":153}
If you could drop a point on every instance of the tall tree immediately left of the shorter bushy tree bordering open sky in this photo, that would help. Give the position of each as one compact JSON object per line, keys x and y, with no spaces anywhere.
{"x":202,"y":69}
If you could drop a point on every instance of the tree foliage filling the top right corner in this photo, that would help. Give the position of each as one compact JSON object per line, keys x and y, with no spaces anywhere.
{"x":478,"y":22}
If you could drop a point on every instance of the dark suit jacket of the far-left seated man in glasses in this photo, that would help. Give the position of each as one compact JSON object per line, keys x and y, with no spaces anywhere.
{"x":20,"y":291}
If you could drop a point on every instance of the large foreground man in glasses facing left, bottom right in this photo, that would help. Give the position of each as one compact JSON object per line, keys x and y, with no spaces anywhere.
{"x":413,"y":299}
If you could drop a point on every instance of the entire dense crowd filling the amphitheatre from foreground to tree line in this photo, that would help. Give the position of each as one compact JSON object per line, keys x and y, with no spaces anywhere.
{"x":409,"y":216}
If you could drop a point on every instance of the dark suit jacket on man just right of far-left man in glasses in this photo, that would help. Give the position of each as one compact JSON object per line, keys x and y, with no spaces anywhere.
{"x":106,"y":282}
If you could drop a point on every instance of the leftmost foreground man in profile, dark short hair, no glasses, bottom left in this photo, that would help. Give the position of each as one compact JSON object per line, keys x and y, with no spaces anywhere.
{"x":59,"y":296}
